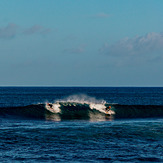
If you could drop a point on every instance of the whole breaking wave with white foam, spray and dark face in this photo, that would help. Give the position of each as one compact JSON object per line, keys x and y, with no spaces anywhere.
{"x":82,"y":107}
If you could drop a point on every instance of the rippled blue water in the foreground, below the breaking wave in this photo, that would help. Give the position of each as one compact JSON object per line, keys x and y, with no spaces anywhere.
{"x":123,"y":140}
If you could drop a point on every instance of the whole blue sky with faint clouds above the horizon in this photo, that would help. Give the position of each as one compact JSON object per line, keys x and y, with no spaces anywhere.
{"x":81,"y":43}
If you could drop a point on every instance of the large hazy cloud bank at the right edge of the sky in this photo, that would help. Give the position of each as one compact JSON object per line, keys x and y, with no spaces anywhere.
{"x":140,"y":48}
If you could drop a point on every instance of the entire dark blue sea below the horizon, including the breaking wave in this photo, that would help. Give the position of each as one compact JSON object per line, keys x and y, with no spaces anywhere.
{"x":71,"y":124}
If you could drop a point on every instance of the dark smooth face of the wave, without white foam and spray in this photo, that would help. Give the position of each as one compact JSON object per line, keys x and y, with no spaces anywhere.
{"x":70,"y":110}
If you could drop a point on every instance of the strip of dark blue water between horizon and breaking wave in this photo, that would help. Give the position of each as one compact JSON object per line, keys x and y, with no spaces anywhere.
{"x":18,"y":96}
